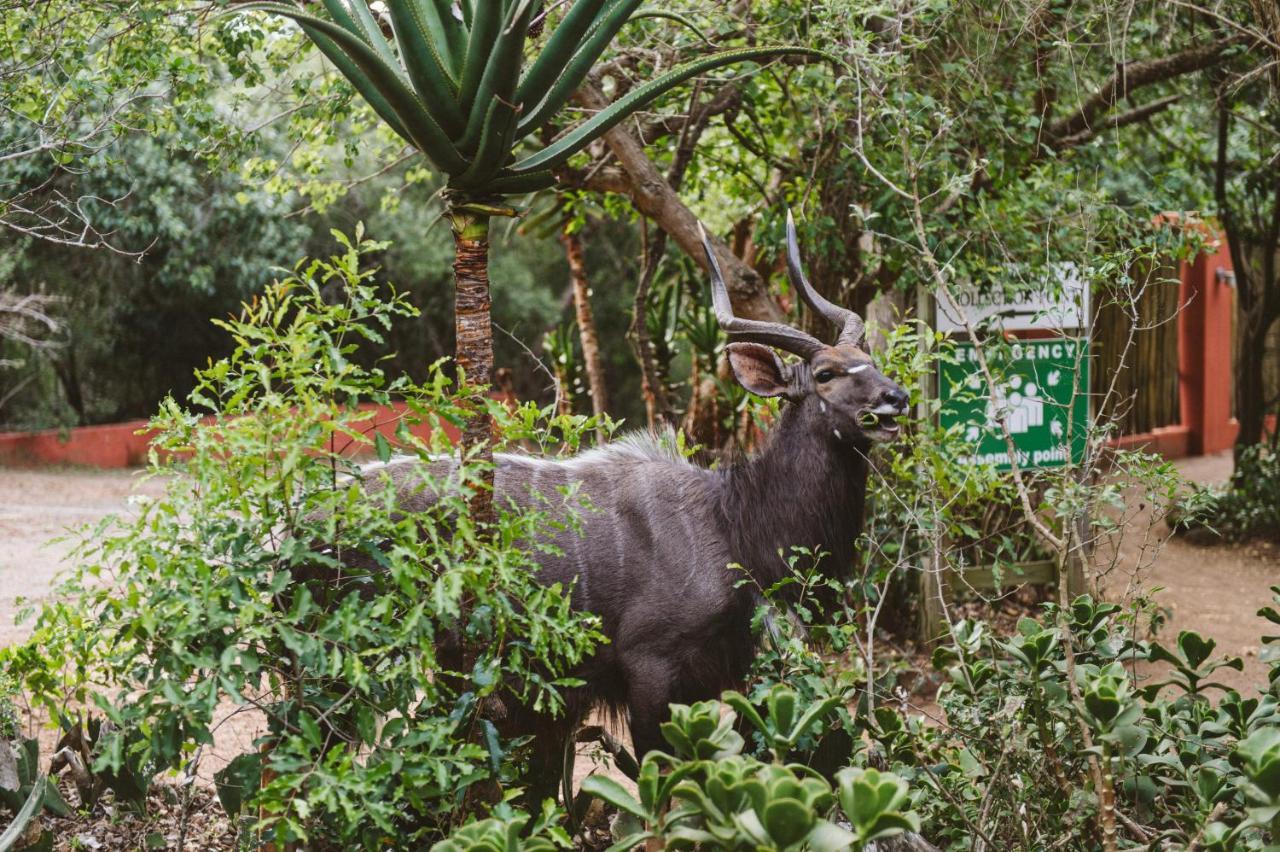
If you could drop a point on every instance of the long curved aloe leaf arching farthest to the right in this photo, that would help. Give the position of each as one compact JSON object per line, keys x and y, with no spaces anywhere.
{"x":560,"y":152}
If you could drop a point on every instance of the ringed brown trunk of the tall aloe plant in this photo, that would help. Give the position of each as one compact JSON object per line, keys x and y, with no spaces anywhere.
{"x":474,"y":343}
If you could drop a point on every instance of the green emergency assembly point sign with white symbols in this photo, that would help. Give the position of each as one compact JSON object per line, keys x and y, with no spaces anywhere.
{"x":1043,"y":391}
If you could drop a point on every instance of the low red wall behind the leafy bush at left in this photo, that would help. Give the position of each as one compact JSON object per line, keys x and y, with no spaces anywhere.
{"x":126,"y":445}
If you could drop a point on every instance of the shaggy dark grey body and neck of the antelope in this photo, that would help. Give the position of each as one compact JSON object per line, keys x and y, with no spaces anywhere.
{"x":657,"y":555}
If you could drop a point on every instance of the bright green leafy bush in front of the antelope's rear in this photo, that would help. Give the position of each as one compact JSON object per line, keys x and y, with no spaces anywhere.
{"x":275,"y":576}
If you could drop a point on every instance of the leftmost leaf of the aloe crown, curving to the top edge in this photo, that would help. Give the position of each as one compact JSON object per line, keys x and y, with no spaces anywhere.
{"x":423,"y":130}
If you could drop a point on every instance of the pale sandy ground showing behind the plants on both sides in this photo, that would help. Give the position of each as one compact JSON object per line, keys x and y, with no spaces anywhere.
{"x":1214,"y":590}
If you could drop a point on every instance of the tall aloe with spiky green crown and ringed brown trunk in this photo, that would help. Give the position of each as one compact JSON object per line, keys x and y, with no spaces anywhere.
{"x":452,"y":80}
